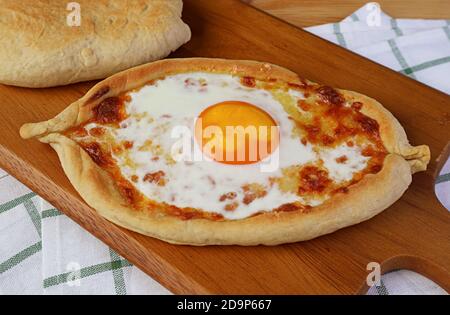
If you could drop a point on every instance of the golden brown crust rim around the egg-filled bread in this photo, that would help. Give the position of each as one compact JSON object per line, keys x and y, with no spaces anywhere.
{"x":368,"y":197}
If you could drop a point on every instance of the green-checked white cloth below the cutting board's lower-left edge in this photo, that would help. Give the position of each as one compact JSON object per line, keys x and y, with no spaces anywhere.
{"x":44,"y":252}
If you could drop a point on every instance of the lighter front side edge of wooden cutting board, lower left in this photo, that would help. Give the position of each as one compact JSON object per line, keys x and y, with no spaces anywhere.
{"x":172,"y":279}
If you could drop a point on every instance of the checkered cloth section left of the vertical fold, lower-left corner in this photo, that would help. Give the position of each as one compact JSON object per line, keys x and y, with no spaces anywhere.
{"x":20,"y":238}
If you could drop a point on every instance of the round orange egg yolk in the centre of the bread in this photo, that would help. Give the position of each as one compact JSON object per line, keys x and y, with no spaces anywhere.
{"x":235,"y":132}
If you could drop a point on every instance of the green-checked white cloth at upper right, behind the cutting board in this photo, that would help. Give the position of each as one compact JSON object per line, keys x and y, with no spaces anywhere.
{"x":417,"y":48}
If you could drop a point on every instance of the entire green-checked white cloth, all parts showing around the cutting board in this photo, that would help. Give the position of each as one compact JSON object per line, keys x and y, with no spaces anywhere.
{"x":44,"y":252}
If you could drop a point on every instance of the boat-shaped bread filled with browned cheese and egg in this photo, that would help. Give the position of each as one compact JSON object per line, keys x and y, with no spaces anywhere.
{"x":115,"y":146}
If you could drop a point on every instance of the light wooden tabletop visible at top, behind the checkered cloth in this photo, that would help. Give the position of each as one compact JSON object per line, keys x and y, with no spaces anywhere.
{"x":304,"y":13}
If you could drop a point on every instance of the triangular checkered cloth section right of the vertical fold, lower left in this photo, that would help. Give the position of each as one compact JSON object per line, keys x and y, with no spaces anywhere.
{"x":78,"y":263}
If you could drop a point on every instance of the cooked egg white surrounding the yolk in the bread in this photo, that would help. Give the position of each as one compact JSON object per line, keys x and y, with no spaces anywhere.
{"x":155,"y":110}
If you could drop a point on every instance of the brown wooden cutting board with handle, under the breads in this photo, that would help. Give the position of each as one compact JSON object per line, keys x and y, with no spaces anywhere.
{"x":413,"y":233}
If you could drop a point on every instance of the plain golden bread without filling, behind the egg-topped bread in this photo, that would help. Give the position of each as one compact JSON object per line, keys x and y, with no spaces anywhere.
{"x":42,"y":48}
